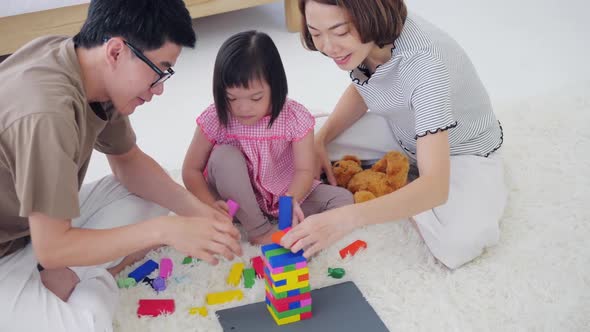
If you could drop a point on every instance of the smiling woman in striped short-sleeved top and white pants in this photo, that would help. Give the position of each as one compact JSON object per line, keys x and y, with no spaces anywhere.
{"x":426,"y":100}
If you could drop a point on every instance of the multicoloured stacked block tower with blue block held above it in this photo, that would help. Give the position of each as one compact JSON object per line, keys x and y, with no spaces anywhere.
{"x":286,"y":276}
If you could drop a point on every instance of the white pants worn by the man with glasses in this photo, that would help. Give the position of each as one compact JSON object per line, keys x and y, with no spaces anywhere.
{"x":26,"y":305}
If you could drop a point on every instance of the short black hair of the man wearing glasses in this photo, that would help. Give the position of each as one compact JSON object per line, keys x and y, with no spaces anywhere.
{"x":147,"y":24}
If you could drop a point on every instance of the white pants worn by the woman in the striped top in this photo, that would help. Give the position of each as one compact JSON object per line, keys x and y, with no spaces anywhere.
{"x":467,"y":223}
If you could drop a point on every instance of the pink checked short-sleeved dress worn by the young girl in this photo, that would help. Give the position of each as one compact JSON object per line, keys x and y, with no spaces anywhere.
{"x":268,"y":151}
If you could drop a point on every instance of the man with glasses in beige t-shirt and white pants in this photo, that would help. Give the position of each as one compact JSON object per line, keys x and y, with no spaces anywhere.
{"x":60,"y":98}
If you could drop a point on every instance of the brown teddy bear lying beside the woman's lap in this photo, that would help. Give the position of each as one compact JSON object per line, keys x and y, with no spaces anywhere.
{"x":389,"y":174}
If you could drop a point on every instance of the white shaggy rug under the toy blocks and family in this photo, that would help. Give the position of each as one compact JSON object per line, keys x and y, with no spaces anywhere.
{"x":536,"y":279}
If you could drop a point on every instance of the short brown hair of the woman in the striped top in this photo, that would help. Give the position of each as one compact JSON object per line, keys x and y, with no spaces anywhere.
{"x":379,"y":21}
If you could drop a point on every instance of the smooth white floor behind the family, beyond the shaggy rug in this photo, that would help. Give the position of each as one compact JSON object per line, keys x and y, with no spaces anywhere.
{"x":520,"y":49}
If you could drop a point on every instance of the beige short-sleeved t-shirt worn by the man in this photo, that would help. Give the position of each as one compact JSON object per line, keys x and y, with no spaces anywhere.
{"x":47,"y":133}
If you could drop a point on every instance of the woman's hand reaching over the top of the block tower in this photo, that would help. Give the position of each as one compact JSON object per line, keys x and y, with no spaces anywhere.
{"x":318,"y":231}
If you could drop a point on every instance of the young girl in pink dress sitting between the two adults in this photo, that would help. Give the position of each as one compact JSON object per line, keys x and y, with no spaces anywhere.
{"x":254,"y":145}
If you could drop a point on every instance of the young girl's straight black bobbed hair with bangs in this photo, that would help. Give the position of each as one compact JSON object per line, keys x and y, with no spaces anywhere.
{"x":243,"y":58}
